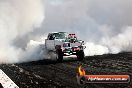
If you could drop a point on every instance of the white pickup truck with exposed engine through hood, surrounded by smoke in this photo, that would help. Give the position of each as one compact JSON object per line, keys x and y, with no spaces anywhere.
{"x":64,"y":44}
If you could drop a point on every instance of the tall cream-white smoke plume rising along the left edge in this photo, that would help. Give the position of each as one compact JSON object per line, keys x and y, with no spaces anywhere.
{"x":17,"y":18}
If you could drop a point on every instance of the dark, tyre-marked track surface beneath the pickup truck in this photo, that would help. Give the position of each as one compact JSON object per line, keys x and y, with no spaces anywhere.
{"x":50,"y":74}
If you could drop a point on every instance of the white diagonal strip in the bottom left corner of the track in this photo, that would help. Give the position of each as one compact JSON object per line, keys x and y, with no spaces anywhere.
{"x":6,"y":81}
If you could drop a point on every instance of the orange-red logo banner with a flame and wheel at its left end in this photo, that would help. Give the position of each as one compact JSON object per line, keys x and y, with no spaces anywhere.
{"x":82,"y":78}
